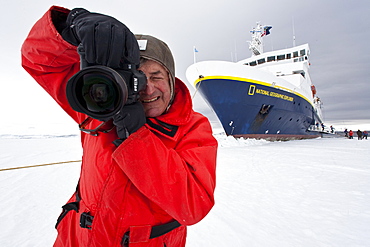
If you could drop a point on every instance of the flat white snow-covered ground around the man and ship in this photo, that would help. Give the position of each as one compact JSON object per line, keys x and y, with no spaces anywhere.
{"x":297,"y":193}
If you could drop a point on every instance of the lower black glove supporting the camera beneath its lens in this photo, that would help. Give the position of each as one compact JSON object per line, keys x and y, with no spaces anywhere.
{"x":128,"y":121}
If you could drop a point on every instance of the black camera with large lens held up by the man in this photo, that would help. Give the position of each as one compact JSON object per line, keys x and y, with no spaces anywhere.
{"x":100,"y":91}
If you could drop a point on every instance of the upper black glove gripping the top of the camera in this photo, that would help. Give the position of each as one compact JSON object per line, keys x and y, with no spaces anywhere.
{"x":106,"y":40}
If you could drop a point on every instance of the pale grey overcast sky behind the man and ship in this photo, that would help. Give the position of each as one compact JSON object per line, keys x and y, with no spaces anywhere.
{"x":337,"y":32}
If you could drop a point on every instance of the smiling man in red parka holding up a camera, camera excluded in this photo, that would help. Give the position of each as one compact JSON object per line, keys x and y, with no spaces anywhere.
{"x":143,"y":182}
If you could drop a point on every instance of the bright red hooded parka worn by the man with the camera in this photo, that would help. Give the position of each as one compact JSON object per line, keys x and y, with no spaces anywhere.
{"x":163,"y":172}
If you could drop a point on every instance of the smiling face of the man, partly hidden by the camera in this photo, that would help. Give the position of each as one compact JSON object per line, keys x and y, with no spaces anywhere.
{"x":157,"y":94}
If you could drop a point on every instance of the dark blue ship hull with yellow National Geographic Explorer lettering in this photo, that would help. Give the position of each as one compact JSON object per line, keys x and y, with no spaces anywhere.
{"x":258,"y":110}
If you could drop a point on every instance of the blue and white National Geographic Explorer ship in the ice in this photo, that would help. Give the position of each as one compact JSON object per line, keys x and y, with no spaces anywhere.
{"x":269,"y":95}
